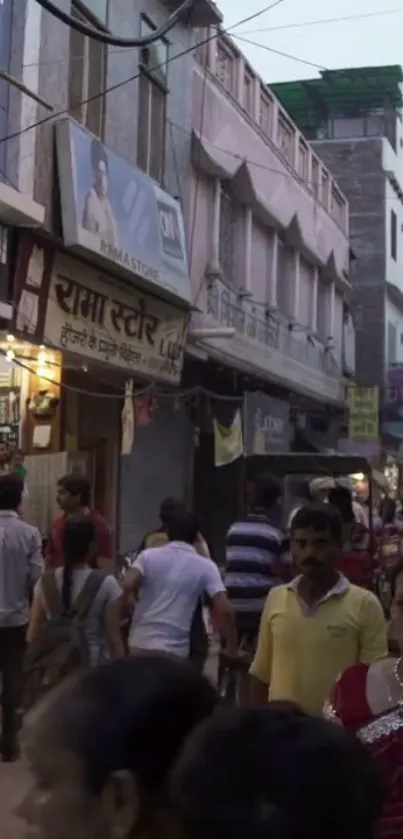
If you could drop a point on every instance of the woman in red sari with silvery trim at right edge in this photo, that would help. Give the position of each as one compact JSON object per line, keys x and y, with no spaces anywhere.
{"x":369,"y":700}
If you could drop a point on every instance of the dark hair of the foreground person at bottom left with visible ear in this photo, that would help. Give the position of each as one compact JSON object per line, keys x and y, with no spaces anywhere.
{"x":131,"y":715}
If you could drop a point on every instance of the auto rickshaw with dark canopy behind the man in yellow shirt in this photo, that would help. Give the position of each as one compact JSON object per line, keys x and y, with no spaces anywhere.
{"x":361,"y":567}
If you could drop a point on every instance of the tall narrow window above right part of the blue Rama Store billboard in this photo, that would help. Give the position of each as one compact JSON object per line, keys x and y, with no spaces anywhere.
{"x":152,"y":106}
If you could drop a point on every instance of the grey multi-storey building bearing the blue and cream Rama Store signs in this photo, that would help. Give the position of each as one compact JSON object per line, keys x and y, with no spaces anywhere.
{"x":91,"y":189}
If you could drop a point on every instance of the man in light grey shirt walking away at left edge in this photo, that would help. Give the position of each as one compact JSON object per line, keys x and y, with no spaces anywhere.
{"x":21,"y":565}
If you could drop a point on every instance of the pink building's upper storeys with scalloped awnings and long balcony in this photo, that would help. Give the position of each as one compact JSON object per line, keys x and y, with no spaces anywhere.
{"x":269,"y":244}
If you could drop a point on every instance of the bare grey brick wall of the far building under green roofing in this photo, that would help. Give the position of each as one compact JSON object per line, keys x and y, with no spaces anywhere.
{"x":357,"y":166}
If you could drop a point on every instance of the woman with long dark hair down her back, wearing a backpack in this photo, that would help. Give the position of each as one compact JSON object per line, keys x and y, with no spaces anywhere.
{"x":101,"y":624}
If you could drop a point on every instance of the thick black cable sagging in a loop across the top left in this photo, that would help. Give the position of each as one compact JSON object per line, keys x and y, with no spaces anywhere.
{"x":113,"y":40}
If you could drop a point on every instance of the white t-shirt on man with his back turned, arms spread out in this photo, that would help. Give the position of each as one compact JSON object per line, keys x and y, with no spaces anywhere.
{"x":173,"y":579}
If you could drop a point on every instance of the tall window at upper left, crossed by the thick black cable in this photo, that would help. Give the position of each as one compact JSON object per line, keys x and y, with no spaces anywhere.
{"x":86,"y":78}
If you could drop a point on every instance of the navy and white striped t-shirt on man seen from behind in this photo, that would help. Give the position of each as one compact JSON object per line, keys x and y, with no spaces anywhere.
{"x":257,"y":558}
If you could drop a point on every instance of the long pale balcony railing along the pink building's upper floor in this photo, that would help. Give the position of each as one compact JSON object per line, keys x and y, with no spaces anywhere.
{"x":263,"y":345}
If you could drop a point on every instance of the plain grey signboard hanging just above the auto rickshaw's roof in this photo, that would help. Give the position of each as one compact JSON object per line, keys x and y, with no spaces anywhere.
{"x":266,"y":424}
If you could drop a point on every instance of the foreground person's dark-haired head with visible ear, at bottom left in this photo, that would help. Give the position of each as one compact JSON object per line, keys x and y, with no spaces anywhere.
{"x":100,"y":748}
